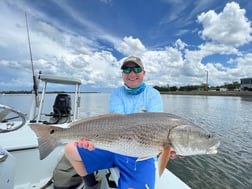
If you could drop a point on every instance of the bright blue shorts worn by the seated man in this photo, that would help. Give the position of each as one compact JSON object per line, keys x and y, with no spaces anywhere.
{"x":133,"y":174}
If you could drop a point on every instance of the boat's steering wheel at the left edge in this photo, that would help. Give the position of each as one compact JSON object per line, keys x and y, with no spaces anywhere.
{"x":10,"y":119}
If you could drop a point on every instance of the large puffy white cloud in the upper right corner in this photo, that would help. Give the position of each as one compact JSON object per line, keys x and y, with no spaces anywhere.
{"x":230,"y":27}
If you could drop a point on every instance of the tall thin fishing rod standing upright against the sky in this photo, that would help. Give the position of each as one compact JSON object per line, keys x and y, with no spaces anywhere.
{"x":35,"y":84}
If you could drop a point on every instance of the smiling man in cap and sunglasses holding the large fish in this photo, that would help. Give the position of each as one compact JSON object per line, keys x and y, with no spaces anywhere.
{"x":134,"y":96}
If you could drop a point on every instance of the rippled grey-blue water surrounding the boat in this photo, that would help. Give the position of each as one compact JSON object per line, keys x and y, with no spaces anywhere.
{"x":228,"y":117}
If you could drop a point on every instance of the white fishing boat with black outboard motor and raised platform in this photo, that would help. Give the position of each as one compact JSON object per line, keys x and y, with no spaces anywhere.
{"x":20,"y":165}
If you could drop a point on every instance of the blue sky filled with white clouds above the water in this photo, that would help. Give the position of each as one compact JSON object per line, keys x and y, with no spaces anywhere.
{"x":180,"y":42}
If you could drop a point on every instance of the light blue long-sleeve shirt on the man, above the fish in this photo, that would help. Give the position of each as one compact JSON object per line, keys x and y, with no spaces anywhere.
{"x":147,"y":101}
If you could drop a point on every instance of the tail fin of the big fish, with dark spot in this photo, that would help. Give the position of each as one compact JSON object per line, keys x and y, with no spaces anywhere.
{"x":46,"y":141}
